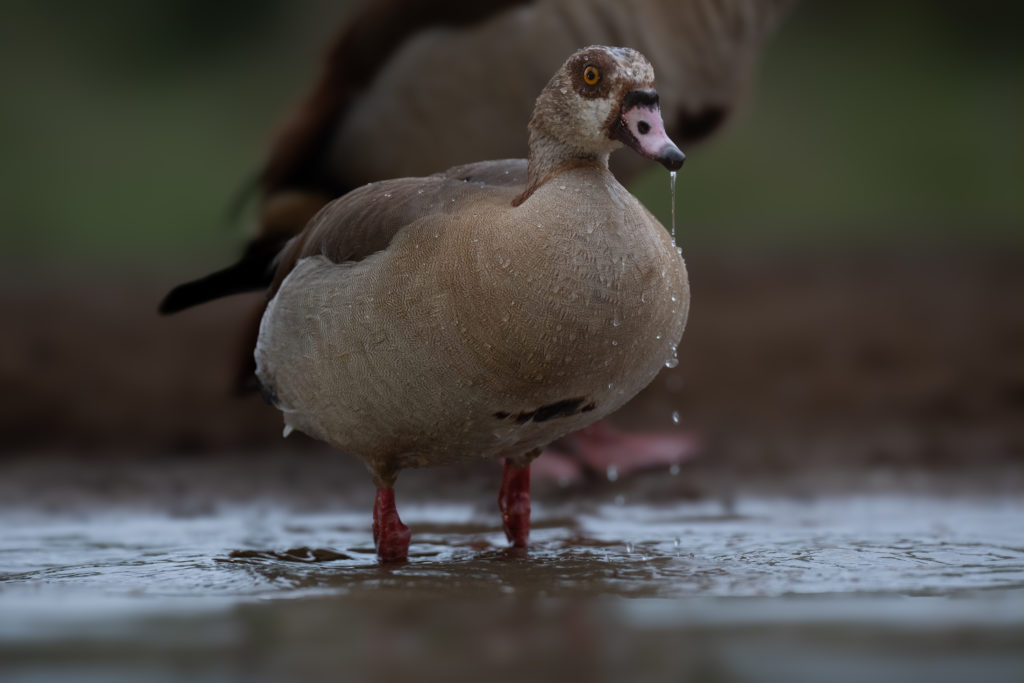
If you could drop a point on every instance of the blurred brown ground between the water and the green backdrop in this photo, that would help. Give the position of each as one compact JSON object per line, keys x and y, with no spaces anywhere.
{"x":791,"y":361}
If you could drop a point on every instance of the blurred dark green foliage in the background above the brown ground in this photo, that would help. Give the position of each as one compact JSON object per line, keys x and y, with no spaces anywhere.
{"x":129,"y":129}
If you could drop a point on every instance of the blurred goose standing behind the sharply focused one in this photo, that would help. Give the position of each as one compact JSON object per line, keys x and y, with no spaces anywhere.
{"x":410,"y":89}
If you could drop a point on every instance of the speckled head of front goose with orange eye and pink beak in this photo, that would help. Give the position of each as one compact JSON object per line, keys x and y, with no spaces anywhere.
{"x":602,"y":99}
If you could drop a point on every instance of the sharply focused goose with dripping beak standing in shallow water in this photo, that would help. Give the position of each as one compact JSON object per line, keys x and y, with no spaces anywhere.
{"x":485,"y":312}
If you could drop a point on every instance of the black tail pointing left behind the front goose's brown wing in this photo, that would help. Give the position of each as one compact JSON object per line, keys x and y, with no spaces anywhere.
{"x":252,"y":273}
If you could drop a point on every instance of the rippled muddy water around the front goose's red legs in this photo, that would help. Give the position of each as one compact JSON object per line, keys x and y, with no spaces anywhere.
{"x":847,"y":587}
